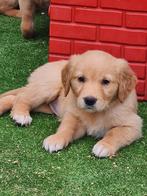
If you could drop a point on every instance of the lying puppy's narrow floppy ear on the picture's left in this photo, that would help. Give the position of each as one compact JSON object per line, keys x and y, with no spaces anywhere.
{"x":66,"y":76}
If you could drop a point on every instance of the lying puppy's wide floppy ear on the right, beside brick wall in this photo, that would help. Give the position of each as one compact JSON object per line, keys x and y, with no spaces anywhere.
{"x":127,"y":79}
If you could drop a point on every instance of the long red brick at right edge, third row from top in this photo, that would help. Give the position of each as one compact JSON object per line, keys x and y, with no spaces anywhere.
{"x":123,"y":36}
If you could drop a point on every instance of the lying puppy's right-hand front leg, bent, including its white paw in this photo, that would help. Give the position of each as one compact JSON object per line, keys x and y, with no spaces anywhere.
{"x":115,"y":139}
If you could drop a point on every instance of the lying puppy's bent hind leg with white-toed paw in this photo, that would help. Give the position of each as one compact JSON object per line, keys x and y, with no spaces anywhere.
{"x":32,"y":97}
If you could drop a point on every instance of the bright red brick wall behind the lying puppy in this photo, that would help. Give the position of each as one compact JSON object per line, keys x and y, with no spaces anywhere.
{"x":115,"y":26}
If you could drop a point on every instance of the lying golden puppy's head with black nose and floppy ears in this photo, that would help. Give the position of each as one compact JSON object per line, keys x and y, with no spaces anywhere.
{"x":97,"y":79}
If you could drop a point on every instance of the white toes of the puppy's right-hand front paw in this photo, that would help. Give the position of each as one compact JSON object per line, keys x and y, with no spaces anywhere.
{"x":101,"y":150}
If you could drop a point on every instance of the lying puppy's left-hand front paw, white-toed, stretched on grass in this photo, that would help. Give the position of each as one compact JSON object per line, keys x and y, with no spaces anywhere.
{"x":54,"y":143}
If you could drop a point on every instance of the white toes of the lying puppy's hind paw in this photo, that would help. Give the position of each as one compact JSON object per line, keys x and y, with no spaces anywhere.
{"x":22,"y":119}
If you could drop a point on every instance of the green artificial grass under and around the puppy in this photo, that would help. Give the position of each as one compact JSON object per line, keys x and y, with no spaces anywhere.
{"x":26,"y":168}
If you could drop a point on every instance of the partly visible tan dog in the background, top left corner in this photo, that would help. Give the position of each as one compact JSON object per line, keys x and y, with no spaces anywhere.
{"x":27,"y":12}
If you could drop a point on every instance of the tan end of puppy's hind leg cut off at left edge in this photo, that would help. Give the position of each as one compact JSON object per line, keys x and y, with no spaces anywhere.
{"x":6,"y":103}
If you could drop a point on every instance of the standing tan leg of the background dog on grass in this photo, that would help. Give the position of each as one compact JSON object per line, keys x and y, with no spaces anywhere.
{"x":27,"y":9}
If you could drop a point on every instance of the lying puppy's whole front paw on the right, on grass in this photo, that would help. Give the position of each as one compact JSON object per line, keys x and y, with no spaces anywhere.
{"x":102,"y":149}
